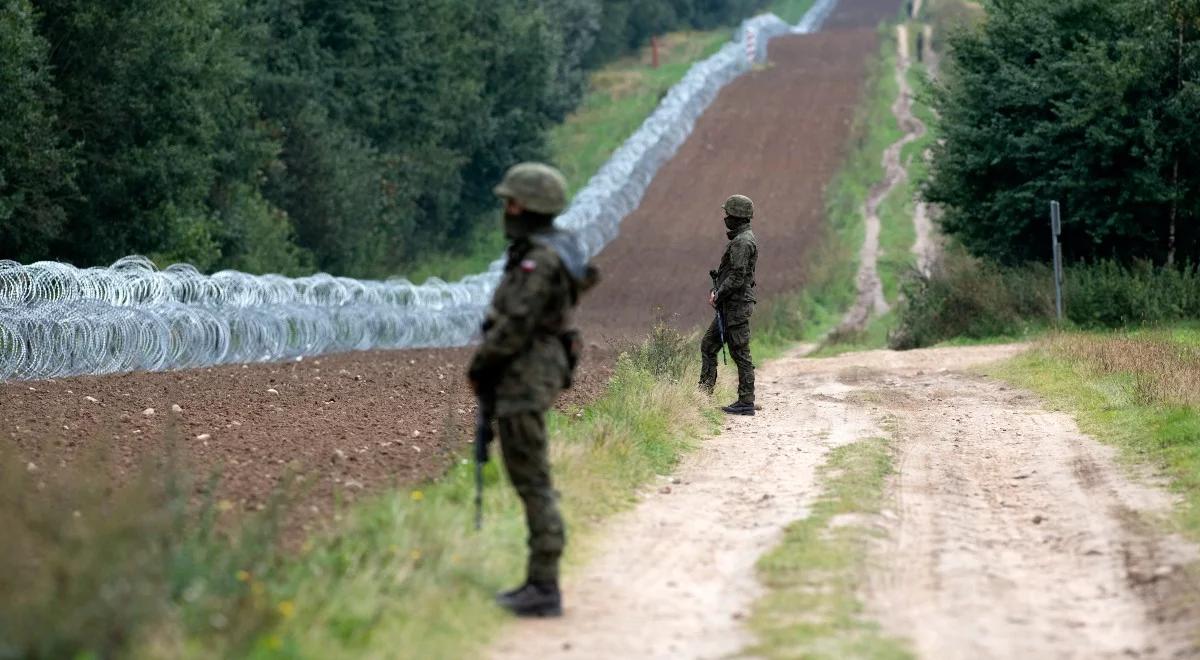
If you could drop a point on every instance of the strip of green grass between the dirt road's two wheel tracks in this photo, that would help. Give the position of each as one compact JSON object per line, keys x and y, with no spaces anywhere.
{"x":813,"y":578}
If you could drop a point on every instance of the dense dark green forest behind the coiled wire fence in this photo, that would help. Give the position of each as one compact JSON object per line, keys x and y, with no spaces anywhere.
{"x":349,"y":136}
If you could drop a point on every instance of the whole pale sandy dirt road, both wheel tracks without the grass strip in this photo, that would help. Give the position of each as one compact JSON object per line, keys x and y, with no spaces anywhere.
{"x":1011,"y":535}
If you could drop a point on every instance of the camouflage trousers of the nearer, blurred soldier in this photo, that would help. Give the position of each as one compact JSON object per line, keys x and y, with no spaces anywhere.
{"x":524,"y":443}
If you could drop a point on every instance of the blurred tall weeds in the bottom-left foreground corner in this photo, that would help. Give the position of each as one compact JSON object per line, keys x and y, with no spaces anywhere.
{"x":98,"y":569}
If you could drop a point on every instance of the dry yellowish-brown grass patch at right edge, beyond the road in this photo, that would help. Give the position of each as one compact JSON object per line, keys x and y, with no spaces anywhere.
{"x":1163,"y":371}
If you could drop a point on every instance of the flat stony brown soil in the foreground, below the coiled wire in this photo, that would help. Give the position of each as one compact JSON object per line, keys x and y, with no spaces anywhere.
{"x":349,"y":423}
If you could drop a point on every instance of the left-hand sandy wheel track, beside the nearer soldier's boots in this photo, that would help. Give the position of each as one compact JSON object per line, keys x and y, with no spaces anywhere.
{"x":674,"y":578}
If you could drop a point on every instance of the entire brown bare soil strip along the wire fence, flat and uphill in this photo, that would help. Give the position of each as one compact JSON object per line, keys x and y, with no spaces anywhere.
{"x":357,"y":423}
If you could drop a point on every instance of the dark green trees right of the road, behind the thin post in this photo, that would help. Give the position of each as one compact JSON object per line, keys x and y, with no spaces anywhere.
{"x":1090,"y":103}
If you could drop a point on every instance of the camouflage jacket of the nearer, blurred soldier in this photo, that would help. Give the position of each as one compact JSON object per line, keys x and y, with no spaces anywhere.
{"x":524,"y":359}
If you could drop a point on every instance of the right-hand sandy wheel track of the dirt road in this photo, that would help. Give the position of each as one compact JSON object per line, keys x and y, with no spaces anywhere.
{"x":1018,"y":538}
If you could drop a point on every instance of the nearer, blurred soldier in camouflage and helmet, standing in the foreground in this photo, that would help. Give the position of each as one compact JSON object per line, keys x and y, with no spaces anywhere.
{"x":526,"y":359}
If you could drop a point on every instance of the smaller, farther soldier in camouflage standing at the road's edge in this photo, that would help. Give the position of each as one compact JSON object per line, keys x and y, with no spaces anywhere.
{"x":734,"y":298}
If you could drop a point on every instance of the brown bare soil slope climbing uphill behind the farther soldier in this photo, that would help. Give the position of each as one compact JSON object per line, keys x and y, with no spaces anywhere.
{"x":776,"y":135}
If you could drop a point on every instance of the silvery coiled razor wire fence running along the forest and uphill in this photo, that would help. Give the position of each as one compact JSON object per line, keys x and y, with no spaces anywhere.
{"x":59,"y":321}
